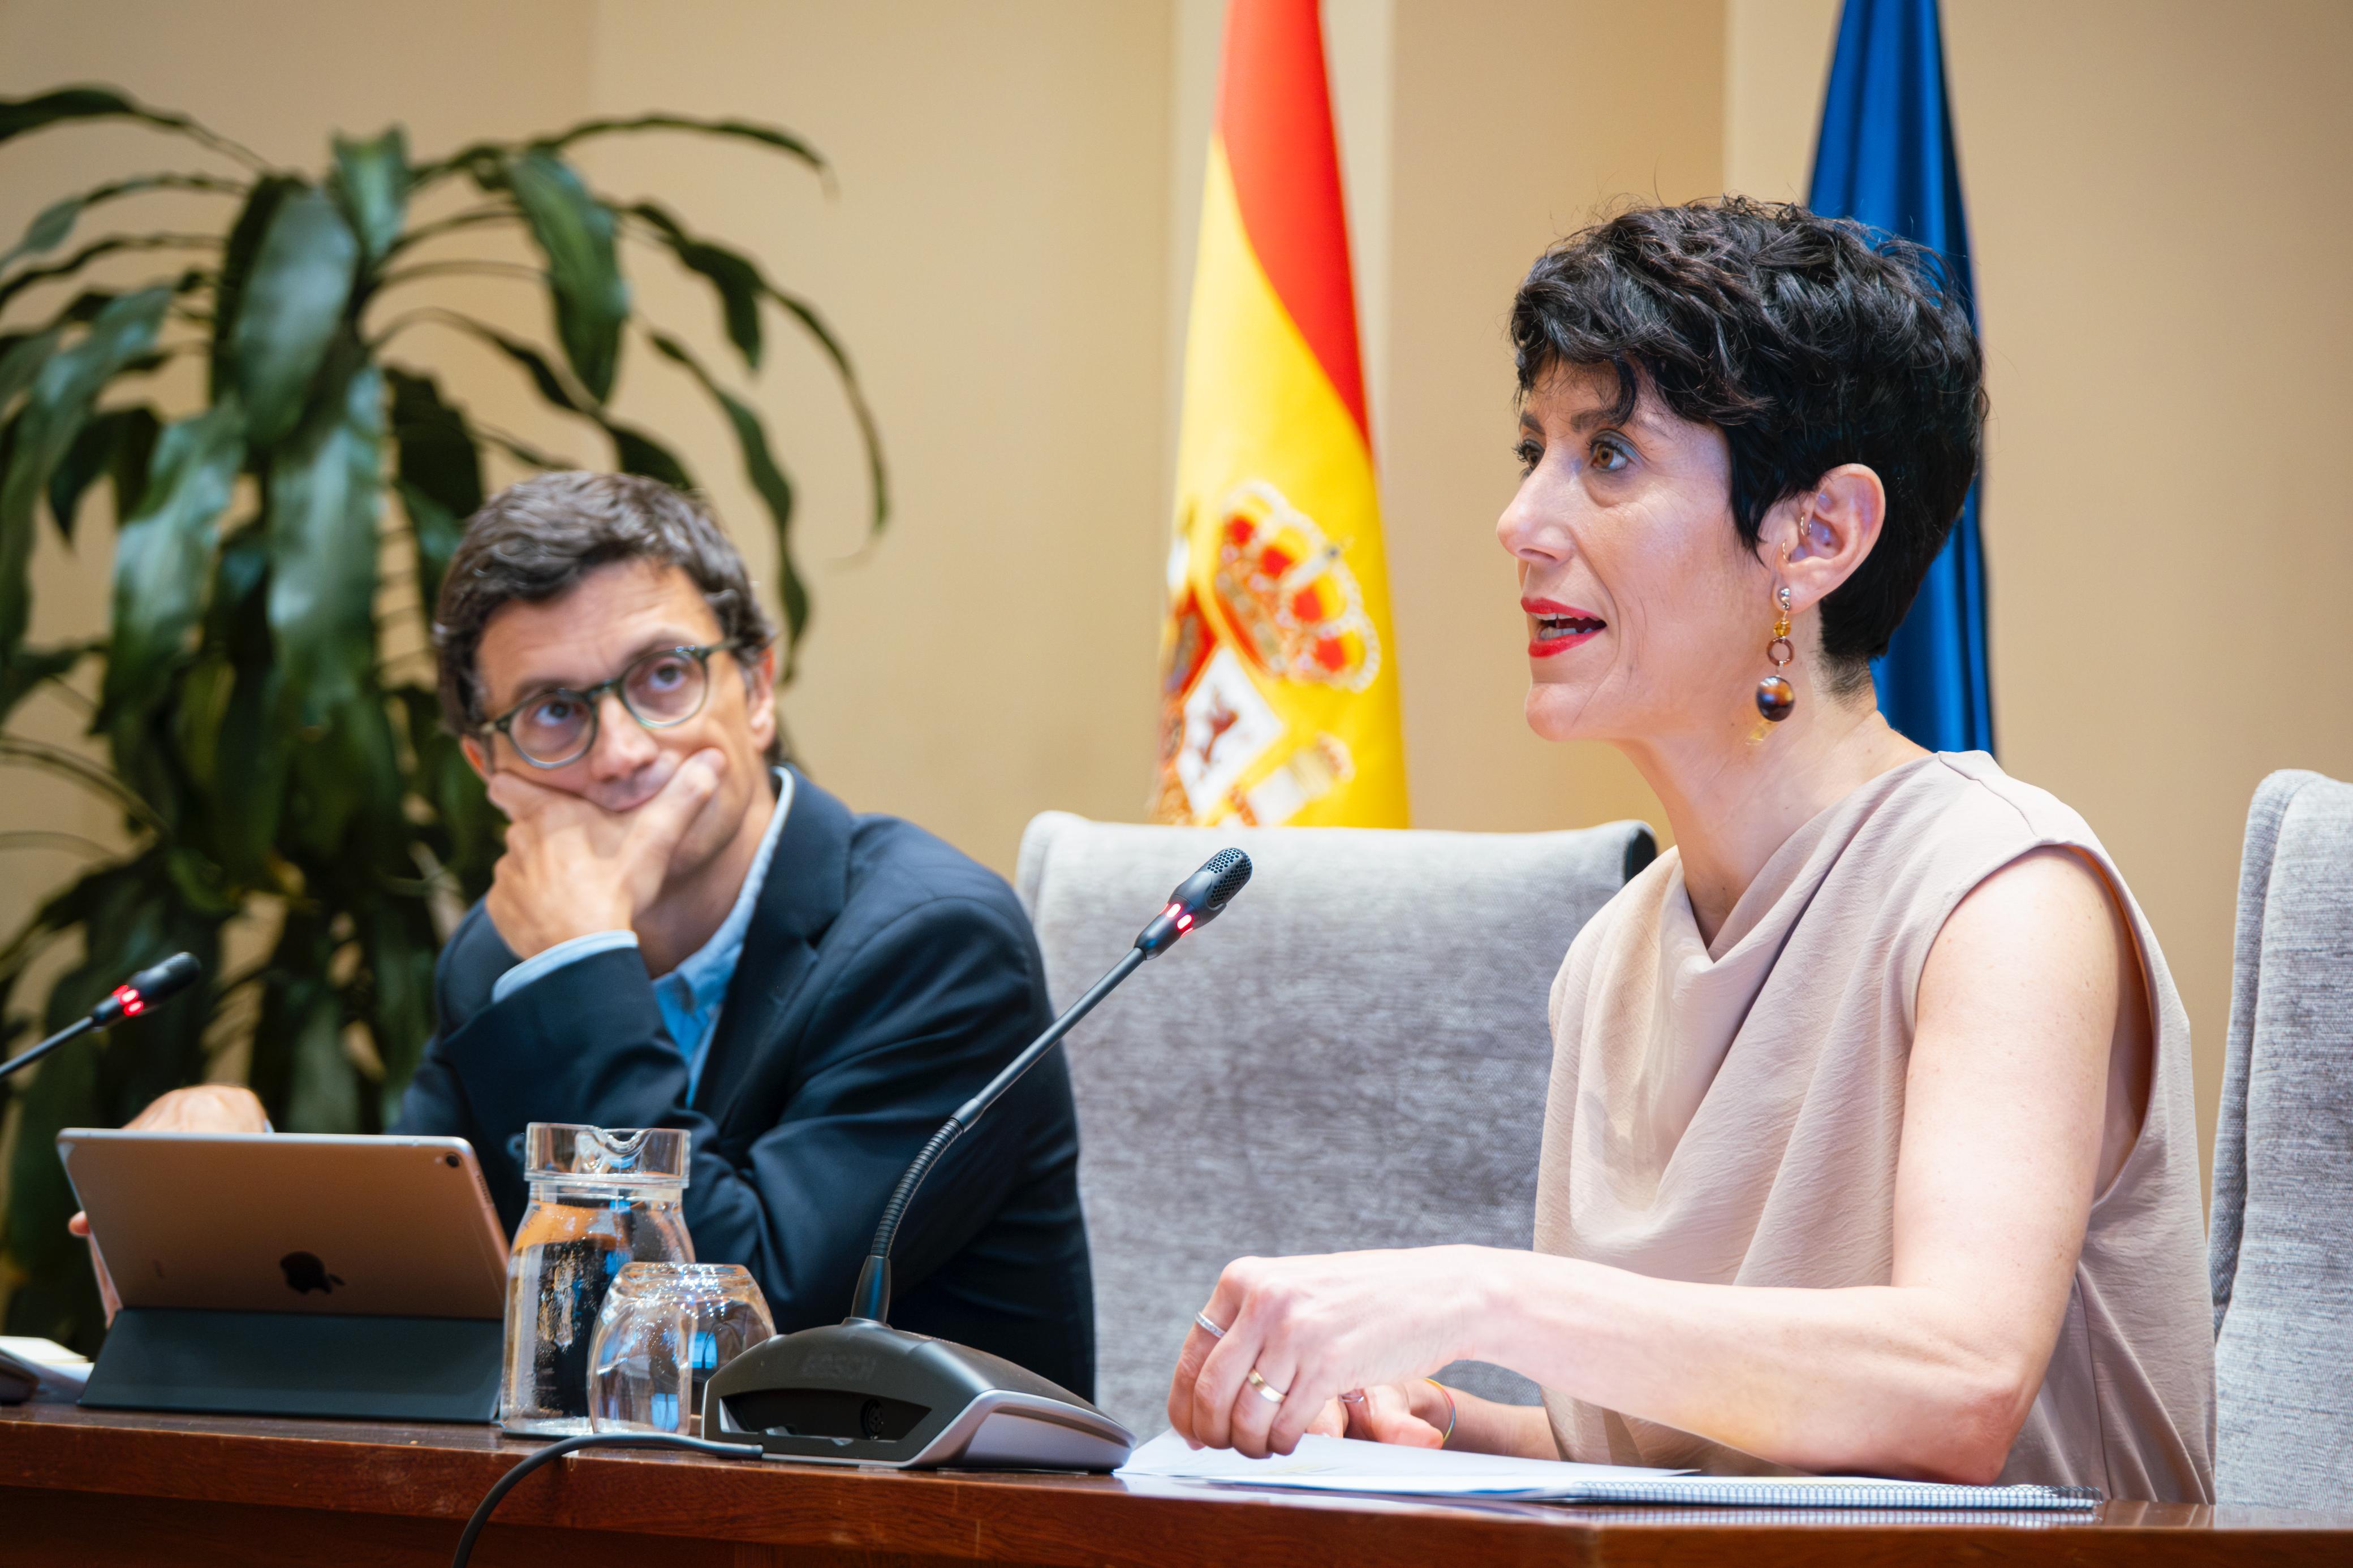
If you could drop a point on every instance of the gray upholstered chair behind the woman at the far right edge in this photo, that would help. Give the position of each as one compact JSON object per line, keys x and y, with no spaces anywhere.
{"x":2284,"y":1160}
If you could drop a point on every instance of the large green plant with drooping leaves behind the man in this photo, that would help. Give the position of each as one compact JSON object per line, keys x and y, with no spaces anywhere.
{"x":265,"y":749}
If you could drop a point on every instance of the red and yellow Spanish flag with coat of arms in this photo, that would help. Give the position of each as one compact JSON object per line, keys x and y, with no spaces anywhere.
{"x":1279,"y":674}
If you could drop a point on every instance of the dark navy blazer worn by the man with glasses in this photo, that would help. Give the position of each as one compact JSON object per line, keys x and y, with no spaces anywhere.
{"x":884,"y":981}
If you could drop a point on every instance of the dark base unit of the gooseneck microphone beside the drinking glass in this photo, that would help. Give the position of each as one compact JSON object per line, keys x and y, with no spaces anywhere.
{"x":865,"y":1393}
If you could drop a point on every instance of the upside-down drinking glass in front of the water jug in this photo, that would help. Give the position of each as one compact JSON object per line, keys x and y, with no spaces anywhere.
{"x":665,"y":1329}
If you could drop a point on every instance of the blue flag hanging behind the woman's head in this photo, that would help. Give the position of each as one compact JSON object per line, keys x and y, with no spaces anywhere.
{"x":1886,"y":159}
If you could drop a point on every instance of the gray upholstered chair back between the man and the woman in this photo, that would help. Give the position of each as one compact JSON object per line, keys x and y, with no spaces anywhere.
{"x":1354,"y":1057}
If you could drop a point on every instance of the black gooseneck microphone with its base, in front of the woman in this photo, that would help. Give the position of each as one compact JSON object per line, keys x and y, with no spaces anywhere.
{"x":862,"y":1393}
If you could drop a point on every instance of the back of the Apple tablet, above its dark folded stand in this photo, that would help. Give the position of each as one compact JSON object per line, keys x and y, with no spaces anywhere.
{"x":291,"y":1221}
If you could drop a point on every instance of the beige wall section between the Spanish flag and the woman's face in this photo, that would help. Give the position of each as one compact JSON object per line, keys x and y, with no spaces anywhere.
{"x":1514,"y":121}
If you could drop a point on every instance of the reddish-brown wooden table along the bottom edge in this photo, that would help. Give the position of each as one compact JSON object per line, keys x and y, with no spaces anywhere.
{"x":102,"y":1487}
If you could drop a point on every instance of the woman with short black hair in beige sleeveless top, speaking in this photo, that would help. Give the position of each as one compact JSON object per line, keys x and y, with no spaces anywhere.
{"x":1869,"y":1141}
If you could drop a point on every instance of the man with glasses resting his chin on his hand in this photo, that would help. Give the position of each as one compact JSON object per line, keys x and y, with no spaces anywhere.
{"x":686,"y":932}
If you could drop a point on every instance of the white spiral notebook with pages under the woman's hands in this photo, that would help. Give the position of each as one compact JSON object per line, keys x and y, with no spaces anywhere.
{"x":1347,"y":1466}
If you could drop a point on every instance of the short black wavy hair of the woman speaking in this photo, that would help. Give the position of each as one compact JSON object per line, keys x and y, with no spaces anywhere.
{"x":1808,"y":342}
